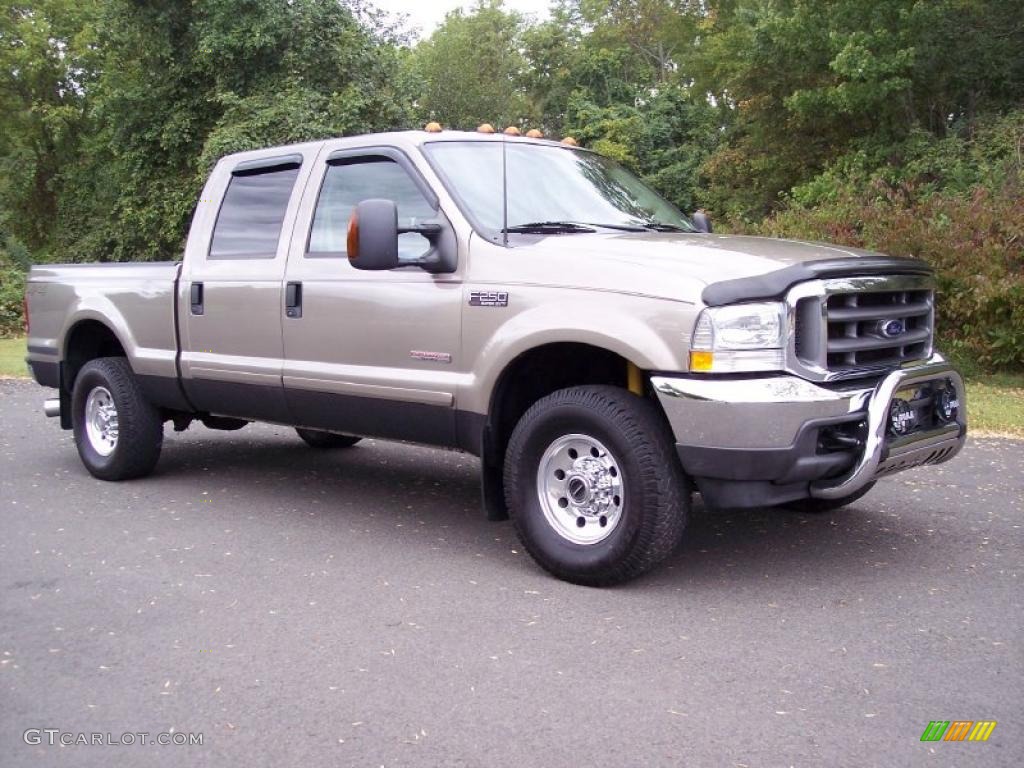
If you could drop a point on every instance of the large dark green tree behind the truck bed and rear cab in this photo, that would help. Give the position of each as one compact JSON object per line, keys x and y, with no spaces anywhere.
{"x":184,"y":83}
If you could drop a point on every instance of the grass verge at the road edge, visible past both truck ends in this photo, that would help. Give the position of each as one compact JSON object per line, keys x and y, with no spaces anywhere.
{"x":996,"y":402}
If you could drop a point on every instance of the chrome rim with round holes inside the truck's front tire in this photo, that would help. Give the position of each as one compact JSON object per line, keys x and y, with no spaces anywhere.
{"x":581,"y":489}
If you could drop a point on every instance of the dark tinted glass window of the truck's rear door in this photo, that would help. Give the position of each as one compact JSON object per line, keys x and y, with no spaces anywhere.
{"x":251,"y":217}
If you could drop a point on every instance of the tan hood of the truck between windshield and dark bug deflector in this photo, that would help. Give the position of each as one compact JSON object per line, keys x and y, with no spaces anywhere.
{"x":680,"y":267}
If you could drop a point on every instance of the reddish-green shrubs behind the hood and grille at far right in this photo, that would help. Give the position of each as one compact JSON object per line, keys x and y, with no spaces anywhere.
{"x":957,"y":206}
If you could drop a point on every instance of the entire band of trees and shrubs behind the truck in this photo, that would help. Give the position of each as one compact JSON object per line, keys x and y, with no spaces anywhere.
{"x":892,"y":124}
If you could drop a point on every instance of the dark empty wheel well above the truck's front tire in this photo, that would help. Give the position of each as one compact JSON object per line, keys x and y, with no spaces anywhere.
{"x":539,"y":373}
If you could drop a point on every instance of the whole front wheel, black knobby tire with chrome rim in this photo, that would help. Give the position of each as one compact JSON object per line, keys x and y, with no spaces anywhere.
{"x":593,"y":486}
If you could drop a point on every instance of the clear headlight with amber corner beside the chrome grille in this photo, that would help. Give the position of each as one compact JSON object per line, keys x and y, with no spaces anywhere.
{"x":742,"y":337}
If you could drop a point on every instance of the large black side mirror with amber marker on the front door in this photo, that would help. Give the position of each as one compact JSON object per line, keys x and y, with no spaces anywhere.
{"x":373,"y":239}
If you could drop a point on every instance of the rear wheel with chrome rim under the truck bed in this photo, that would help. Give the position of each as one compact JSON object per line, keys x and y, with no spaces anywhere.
{"x":119,"y":434}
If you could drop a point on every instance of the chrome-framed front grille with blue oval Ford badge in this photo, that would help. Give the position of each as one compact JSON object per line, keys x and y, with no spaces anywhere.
{"x":848,"y":327}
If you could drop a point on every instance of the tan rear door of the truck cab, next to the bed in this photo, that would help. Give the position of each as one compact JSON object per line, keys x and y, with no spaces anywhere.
{"x":231,"y":290}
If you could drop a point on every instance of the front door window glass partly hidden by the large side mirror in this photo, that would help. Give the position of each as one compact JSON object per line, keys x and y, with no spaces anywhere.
{"x":349,"y":184}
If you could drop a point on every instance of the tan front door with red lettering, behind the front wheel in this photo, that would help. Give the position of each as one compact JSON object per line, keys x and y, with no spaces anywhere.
{"x":371,"y":353}
